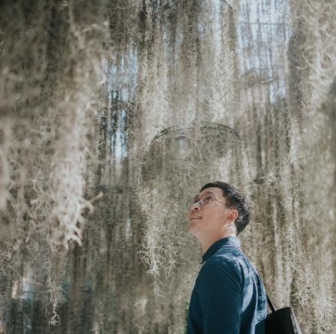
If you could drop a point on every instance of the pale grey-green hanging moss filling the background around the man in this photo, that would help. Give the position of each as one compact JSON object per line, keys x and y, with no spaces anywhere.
{"x":114,"y":113}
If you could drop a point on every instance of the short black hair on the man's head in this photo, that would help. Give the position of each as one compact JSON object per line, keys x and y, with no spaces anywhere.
{"x":234,"y":199}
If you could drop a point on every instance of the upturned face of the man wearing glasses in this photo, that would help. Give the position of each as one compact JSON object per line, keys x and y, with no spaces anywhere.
{"x":212,"y":218}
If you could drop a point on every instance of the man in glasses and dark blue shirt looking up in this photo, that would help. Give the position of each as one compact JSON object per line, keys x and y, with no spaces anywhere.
{"x":229,"y":296}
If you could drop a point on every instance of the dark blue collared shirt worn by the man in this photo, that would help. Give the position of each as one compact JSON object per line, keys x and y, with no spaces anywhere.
{"x":229,"y":296}
